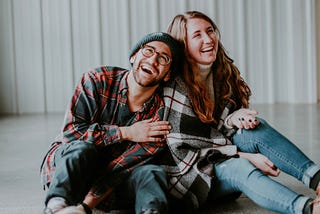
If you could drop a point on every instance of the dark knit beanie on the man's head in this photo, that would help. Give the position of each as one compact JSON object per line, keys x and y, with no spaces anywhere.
{"x":174,"y":45}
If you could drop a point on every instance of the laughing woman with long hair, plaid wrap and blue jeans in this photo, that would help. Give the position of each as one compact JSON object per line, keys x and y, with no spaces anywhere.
{"x":208,"y":108}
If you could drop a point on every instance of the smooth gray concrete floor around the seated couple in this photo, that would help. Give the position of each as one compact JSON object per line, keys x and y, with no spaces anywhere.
{"x":25,"y":138}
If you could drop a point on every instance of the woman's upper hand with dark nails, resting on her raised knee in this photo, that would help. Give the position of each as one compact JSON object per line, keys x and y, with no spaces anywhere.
{"x":243,"y":118}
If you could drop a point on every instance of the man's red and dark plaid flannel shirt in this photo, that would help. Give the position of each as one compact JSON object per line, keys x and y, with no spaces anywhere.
{"x":97,"y":109}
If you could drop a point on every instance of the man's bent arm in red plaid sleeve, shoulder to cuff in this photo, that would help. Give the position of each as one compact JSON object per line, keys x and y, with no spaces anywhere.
{"x":83,"y":117}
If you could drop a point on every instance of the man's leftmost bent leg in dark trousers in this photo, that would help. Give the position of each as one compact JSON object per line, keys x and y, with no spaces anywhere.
{"x":76,"y":164}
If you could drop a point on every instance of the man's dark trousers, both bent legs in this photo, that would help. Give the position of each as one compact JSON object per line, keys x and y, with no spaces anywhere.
{"x":77,"y":165}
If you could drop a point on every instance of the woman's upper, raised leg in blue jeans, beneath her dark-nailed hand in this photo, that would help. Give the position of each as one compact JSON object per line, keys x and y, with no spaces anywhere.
{"x":281,"y":151}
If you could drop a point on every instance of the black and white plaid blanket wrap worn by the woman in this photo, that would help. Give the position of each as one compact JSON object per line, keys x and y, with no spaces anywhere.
{"x":190,"y":141}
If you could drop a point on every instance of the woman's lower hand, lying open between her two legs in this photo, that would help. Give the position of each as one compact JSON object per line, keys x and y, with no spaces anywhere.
{"x":261,"y":162}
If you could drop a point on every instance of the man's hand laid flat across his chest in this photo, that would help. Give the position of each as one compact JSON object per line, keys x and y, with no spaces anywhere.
{"x":146,"y":131}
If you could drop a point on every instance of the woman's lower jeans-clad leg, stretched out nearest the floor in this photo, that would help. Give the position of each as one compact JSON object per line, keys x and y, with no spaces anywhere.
{"x":238,"y":174}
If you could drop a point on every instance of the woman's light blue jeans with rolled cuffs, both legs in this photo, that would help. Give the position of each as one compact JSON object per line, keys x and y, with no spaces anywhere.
{"x":240,"y":175}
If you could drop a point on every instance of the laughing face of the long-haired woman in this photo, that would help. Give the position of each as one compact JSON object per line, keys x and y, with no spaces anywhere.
{"x":202,"y":43}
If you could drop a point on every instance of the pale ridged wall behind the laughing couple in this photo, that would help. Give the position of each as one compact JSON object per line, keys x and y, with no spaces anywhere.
{"x":46,"y":45}
